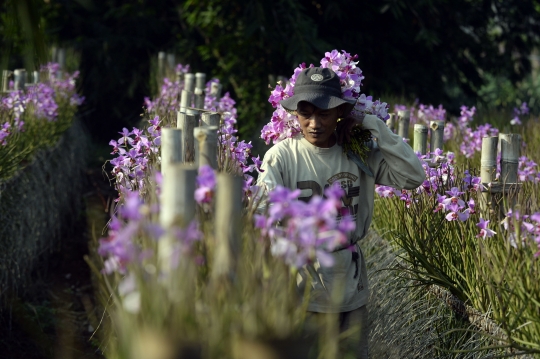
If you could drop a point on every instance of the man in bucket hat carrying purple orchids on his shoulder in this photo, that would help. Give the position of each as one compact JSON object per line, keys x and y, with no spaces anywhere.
{"x":315,"y":160}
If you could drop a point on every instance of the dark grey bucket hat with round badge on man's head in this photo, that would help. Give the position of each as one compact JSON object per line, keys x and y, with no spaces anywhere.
{"x":320,"y":87}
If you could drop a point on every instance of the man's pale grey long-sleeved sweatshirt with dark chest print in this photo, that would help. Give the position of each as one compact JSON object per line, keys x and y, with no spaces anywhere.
{"x":296,"y":163}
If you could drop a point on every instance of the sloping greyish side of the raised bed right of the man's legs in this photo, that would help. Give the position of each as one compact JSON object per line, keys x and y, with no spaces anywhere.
{"x":409,"y":321}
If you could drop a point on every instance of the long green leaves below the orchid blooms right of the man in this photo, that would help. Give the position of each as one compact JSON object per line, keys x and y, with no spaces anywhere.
{"x":489,"y":274}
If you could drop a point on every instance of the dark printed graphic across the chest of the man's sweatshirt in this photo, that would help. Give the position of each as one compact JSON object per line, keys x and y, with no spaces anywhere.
{"x":346,"y":181}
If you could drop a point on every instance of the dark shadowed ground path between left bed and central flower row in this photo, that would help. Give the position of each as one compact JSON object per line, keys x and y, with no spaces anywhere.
{"x":55,"y":316}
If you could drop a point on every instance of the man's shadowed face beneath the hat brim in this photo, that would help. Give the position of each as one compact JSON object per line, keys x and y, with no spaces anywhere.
{"x":317,"y":124}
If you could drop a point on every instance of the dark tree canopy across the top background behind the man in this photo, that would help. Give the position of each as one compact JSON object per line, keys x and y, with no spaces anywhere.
{"x":440,"y":51}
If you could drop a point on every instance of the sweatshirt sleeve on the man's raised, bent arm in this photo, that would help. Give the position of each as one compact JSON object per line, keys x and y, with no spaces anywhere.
{"x":393,"y":162}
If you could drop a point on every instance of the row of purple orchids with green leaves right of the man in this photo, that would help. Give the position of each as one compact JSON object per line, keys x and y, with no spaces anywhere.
{"x":479,"y":245}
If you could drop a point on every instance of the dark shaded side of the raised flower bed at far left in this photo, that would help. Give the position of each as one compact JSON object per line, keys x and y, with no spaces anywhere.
{"x":39,"y":205}
